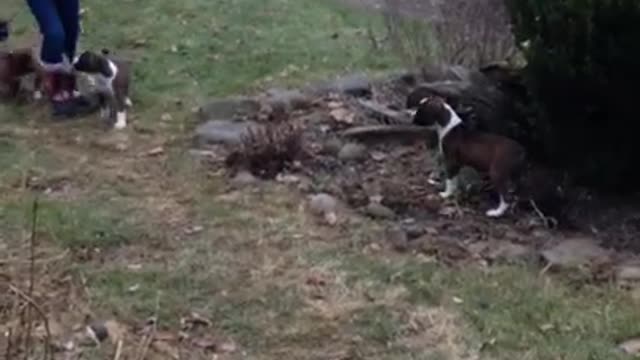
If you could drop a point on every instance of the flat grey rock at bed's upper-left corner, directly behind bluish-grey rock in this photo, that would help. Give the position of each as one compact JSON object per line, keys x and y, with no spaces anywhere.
{"x":229,"y":108}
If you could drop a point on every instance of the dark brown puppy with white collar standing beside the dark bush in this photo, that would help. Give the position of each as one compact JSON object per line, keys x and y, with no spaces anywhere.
{"x":500,"y":157}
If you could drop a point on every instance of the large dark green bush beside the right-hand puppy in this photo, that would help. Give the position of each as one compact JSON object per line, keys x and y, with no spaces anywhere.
{"x":583,"y":69}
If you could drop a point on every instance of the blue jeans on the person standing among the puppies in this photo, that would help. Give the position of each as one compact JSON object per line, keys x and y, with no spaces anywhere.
{"x":59,"y":24}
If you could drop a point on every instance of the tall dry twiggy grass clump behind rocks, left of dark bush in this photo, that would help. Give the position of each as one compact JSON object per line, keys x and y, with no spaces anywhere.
{"x":457,"y":32}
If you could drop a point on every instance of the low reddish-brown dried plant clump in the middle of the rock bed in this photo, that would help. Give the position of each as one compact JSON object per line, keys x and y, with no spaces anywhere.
{"x":268,"y":150}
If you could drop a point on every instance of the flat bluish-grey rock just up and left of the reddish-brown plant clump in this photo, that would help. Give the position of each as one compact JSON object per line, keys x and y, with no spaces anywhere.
{"x":223,"y":132}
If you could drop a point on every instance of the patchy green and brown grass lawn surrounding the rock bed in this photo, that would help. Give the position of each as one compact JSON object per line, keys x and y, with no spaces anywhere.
{"x":161,"y":234}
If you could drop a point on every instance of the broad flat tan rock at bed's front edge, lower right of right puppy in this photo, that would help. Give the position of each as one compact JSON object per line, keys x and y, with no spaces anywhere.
{"x":575,"y":252}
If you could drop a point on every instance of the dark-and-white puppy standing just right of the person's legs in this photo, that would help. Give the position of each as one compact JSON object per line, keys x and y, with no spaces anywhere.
{"x":112,"y":77}
